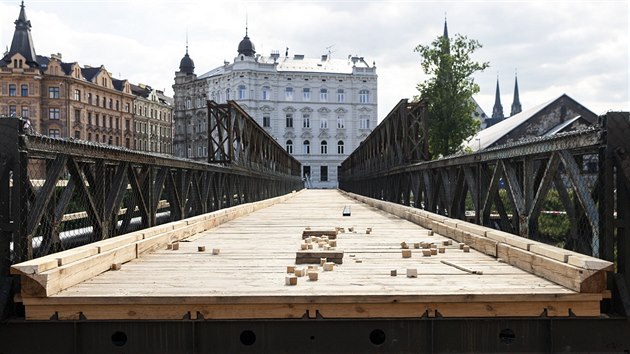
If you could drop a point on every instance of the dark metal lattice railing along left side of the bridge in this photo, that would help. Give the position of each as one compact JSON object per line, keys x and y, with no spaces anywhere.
{"x":56,"y":194}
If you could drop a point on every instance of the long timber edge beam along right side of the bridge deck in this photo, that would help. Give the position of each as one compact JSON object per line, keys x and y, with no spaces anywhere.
{"x":575,"y":271}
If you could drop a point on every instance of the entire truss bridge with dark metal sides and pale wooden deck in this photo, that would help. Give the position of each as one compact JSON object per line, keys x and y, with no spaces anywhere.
{"x":108,"y":250}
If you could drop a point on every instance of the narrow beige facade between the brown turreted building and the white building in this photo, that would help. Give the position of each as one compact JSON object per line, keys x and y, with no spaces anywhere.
{"x":153,"y":122}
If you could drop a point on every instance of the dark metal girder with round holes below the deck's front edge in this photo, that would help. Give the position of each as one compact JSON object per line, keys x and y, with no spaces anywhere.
{"x":494,"y":335}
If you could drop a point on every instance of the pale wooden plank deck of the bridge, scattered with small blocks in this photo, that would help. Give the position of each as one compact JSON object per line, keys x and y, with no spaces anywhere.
{"x":247,"y":279}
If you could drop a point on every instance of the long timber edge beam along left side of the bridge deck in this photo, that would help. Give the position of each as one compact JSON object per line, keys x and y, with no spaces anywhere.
{"x":48,"y":275}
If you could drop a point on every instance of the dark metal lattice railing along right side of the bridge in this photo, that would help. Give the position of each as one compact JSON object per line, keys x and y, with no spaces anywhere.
{"x":569,"y":190}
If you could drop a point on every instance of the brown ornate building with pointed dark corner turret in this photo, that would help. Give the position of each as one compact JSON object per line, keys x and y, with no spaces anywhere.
{"x":67,"y":100}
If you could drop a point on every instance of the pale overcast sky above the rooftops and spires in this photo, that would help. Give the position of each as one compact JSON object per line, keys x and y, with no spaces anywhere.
{"x":580,"y":48}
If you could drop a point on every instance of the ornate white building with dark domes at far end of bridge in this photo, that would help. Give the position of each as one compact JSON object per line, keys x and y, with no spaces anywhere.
{"x":320,"y":109}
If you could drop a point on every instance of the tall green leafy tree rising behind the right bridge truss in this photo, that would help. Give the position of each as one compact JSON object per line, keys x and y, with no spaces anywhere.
{"x":448,"y":92}
